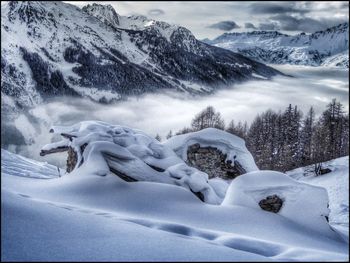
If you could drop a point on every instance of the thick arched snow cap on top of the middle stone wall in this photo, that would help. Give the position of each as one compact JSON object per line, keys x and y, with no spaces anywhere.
{"x":229,"y":144}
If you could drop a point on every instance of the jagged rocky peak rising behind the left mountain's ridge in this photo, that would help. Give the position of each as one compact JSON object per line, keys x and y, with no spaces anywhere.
{"x":105,"y":13}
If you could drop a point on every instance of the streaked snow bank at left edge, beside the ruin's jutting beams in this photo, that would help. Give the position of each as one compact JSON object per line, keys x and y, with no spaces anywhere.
{"x":16,"y":165}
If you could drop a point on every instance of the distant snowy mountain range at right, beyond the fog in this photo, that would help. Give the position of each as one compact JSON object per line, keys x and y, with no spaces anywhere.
{"x":328,"y":47}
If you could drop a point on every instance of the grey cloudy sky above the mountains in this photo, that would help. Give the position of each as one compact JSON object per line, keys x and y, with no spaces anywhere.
{"x":210,"y":19}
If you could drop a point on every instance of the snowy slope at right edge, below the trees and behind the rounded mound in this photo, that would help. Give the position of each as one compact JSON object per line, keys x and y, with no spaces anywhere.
{"x":337,"y":185}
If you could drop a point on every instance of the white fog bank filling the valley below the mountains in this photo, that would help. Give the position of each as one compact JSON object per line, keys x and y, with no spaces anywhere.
{"x":160,"y":113}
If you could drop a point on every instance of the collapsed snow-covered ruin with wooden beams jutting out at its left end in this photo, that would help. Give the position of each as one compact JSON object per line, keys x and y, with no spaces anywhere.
{"x":96,"y":147}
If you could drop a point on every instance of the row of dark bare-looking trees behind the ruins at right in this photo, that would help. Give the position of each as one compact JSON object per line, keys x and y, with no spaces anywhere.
{"x":286,"y":140}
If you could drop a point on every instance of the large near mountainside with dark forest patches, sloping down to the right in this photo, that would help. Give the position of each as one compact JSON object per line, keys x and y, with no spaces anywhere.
{"x":54,"y":48}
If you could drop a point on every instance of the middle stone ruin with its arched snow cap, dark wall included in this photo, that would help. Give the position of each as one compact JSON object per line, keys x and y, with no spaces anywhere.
{"x":213,"y":151}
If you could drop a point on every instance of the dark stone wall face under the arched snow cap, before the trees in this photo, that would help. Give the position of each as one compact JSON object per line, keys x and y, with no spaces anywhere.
{"x":213,"y":162}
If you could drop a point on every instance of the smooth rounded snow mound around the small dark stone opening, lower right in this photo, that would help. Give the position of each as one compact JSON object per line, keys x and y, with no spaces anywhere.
{"x":304,"y":204}
